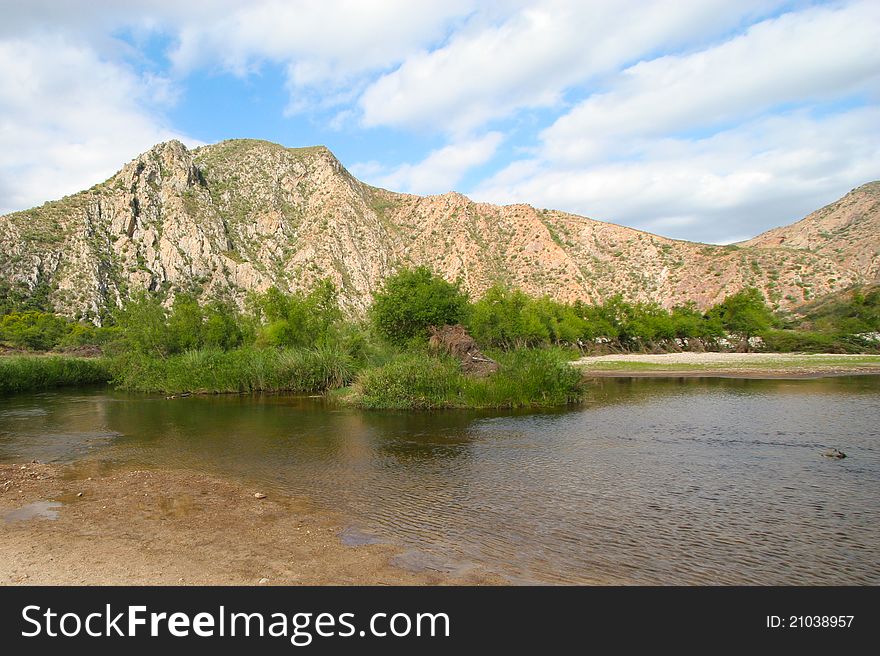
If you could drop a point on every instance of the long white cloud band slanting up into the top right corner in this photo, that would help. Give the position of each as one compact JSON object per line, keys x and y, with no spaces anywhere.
{"x":813,"y":55}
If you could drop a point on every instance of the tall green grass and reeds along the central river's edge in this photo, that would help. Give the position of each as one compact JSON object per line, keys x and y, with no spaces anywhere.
{"x":405,"y":380}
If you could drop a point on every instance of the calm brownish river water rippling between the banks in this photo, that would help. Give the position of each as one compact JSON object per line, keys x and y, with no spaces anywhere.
{"x":652,"y":481}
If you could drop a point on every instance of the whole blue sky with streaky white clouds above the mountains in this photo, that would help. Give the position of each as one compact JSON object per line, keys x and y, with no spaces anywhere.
{"x":705,"y":120}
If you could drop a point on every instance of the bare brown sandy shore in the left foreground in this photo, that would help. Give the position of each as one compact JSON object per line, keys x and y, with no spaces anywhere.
{"x":63,"y":526}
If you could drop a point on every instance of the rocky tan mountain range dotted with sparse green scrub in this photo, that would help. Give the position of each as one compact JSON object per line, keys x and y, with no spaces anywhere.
{"x":242,"y":215}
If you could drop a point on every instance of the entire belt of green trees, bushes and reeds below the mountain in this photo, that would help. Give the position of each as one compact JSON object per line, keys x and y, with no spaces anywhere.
{"x":303,"y":342}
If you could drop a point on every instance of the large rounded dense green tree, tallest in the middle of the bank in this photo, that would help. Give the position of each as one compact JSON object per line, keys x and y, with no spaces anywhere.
{"x":412,"y":300}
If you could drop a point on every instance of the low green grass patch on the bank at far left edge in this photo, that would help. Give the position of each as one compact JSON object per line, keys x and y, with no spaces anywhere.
{"x":22,"y":373}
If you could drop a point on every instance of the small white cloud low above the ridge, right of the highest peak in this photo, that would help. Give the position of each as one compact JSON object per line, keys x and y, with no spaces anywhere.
{"x":439,"y":172}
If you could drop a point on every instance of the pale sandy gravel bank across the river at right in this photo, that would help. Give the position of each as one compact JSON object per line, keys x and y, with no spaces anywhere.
{"x":734,"y":365}
